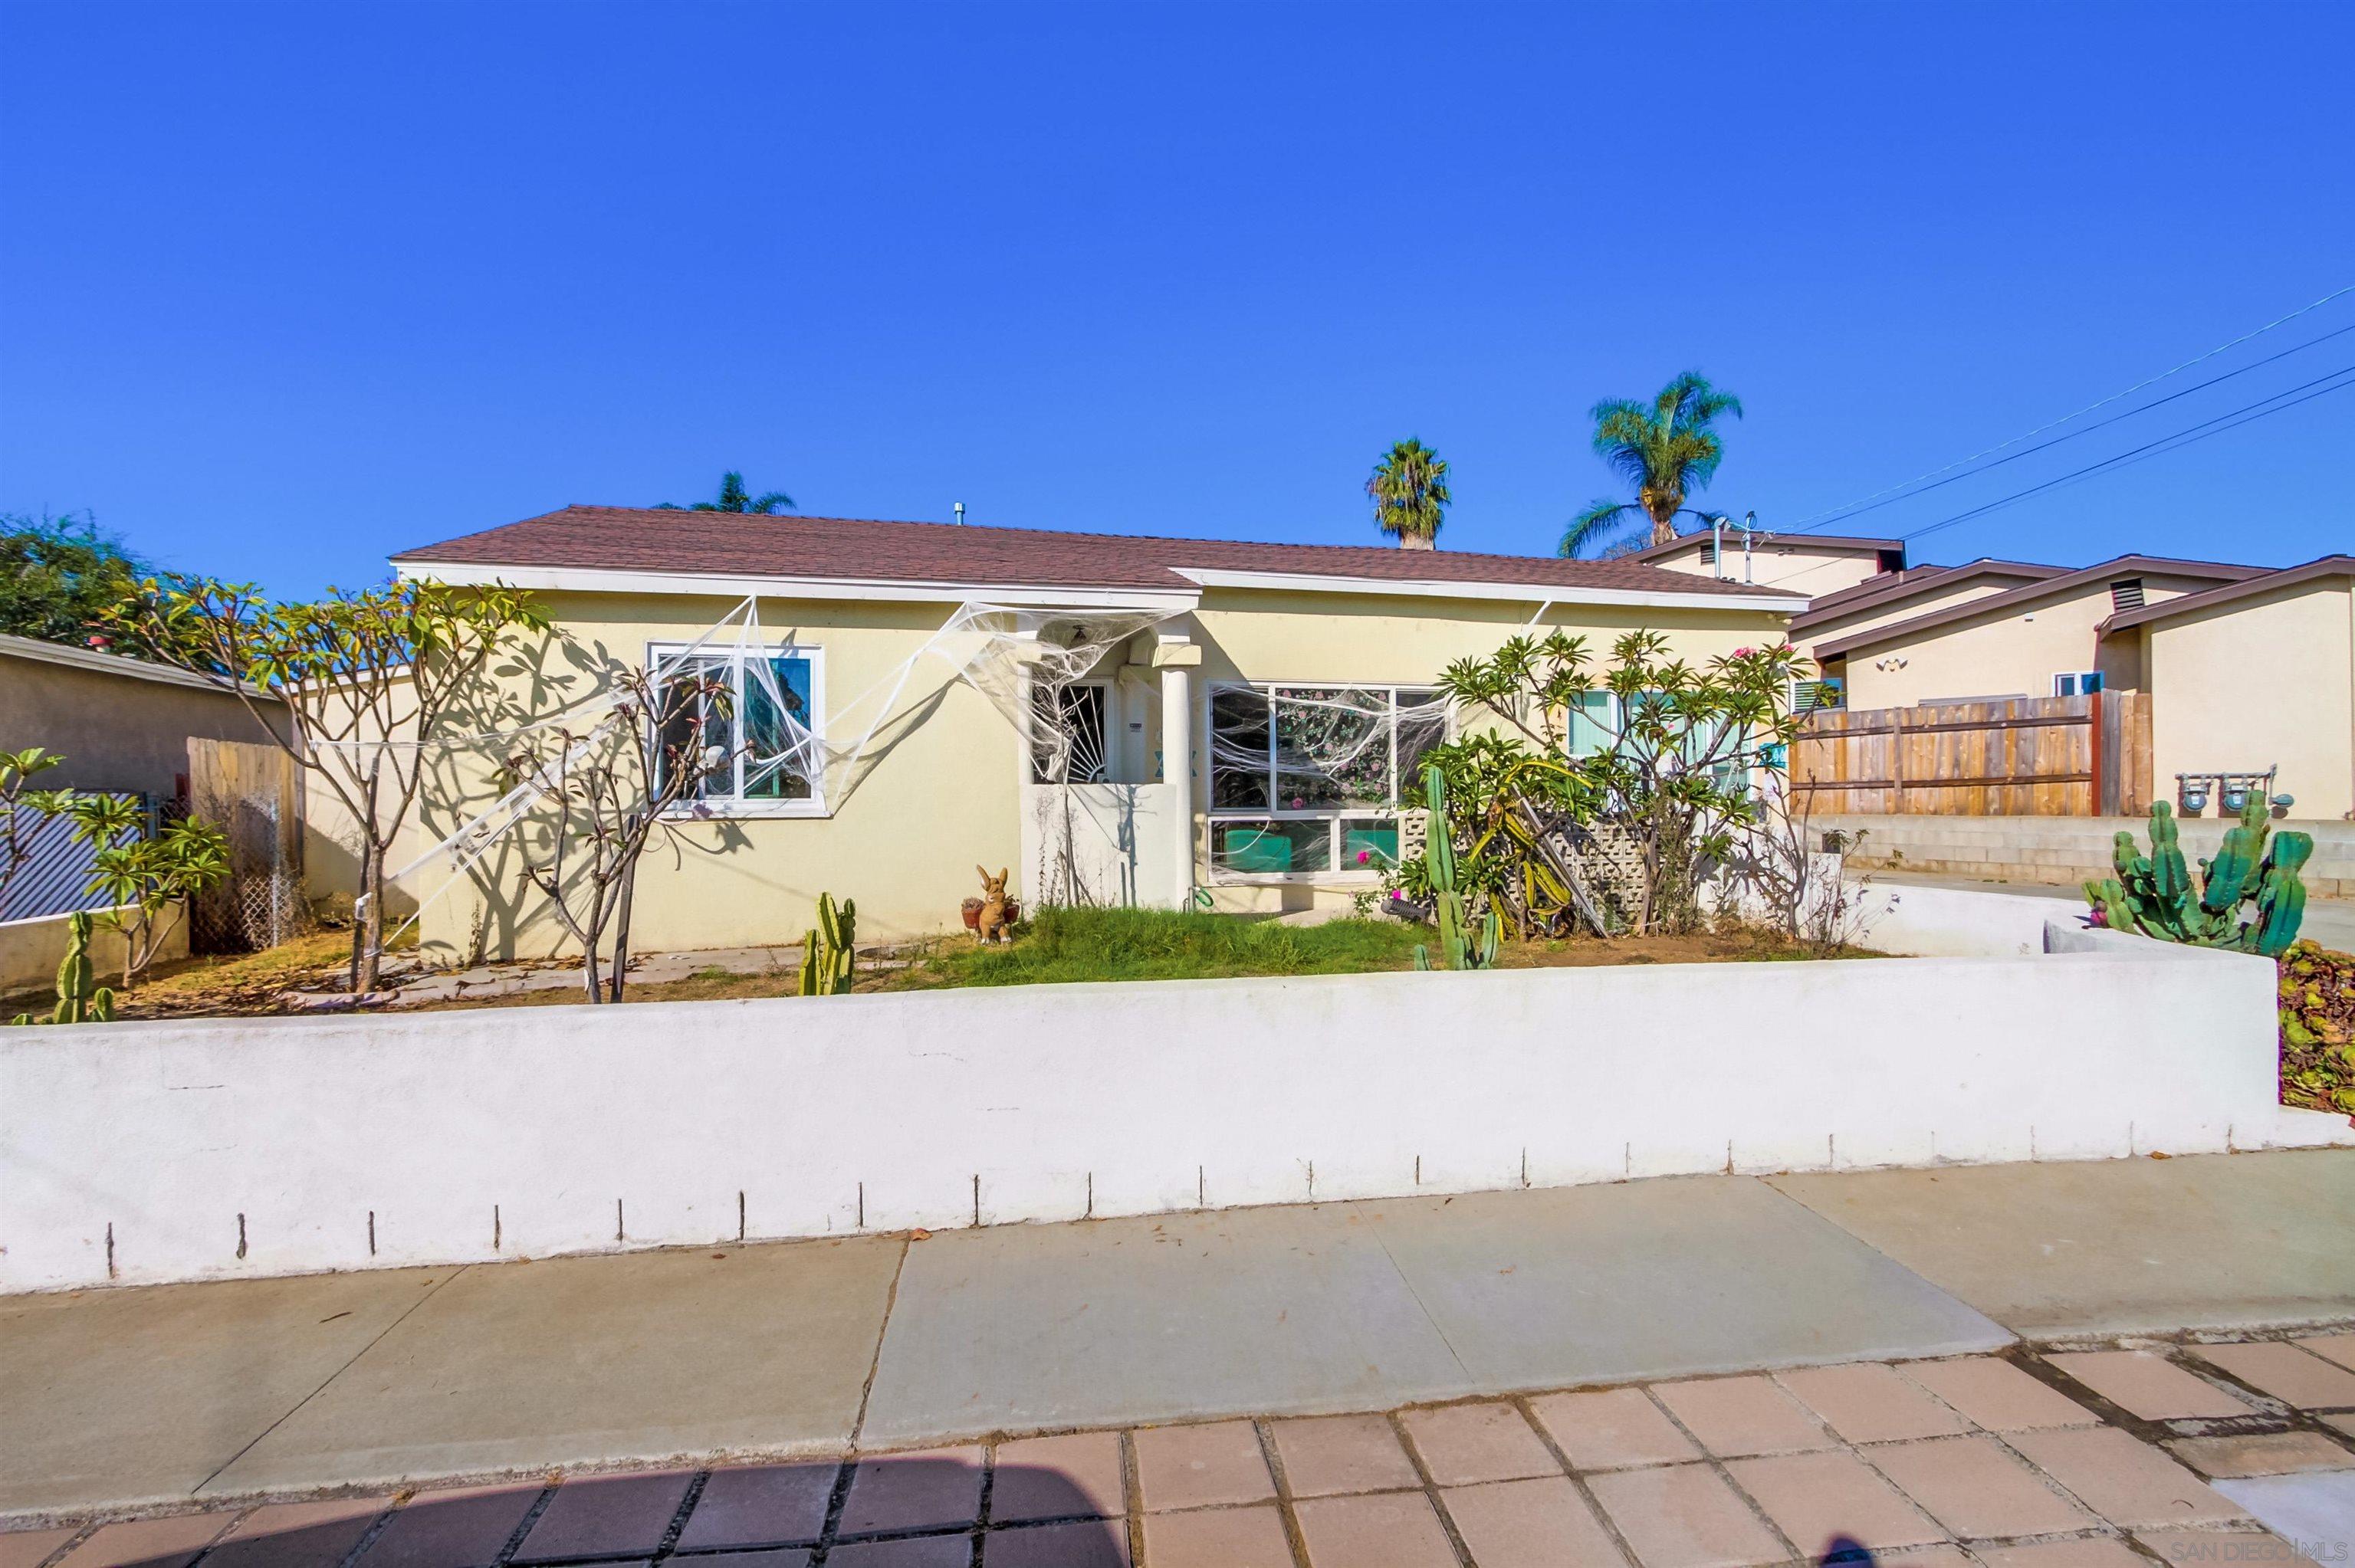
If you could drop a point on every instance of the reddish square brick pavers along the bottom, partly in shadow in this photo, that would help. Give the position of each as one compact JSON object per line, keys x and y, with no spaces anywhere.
{"x":2067,"y":1459}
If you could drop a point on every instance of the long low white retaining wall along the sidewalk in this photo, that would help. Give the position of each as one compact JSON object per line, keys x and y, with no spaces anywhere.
{"x":201,"y":1150}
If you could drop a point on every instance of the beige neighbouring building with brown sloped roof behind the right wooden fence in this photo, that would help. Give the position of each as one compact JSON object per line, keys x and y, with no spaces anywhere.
{"x":2036,"y":639}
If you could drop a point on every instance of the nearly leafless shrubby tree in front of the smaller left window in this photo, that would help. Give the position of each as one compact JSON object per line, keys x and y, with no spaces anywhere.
{"x":611,"y":790}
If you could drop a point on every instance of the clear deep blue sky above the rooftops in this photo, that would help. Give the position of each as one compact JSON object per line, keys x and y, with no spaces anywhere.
{"x":288,"y":288}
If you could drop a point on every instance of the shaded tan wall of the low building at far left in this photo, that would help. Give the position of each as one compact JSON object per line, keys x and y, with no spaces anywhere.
{"x":114,"y":731}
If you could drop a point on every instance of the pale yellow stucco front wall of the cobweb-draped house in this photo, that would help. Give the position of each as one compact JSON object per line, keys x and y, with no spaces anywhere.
{"x":941,"y":788}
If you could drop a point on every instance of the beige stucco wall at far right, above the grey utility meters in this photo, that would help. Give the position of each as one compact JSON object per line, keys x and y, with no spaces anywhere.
{"x":2255,"y":684}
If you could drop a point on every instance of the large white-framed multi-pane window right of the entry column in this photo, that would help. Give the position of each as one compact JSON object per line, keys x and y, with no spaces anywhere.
{"x":1306,"y":778}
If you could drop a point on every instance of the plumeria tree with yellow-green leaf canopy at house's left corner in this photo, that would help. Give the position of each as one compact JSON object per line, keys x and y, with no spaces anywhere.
{"x":354,"y":686}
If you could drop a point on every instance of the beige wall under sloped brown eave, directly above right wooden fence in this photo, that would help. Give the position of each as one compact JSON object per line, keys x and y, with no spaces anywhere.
{"x":2010,"y":653}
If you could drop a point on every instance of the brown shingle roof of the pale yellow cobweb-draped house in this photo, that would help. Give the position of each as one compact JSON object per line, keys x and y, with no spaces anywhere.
{"x":646,"y":540}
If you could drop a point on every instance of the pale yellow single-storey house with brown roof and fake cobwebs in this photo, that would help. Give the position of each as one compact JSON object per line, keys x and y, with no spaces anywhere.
{"x":1292,"y":686}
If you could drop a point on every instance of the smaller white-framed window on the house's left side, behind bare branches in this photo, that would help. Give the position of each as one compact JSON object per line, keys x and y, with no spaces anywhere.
{"x":762,"y":707}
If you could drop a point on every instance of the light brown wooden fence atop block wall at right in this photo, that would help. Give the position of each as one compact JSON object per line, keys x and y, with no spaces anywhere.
{"x":2029,"y":757}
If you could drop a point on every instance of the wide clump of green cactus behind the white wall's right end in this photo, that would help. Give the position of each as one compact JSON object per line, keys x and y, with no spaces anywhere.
{"x":2154,"y":896}
